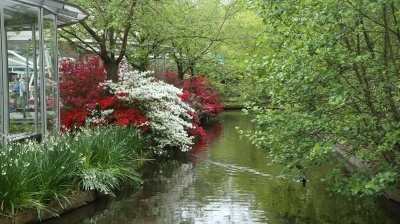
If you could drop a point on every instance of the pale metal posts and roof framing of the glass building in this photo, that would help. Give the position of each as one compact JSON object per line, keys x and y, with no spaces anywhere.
{"x":63,"y":14}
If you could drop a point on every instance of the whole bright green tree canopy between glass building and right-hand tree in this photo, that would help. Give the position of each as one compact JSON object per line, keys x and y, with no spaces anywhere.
{"x":211,"y":38}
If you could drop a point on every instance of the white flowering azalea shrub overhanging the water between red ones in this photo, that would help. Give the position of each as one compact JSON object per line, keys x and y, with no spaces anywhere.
{"x":168,"y":116}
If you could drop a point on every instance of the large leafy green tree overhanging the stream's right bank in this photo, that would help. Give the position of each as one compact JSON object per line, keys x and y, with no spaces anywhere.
{"x":333,"y":72}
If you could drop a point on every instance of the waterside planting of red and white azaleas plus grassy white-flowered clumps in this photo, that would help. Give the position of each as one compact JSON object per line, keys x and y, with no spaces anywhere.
{"x":108,"y":129}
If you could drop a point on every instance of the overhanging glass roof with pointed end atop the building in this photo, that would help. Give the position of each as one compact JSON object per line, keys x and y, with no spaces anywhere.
{"x":66,"y":13}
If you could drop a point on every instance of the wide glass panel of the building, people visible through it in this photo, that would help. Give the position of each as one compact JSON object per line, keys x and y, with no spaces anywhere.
{"x":21,"y":25}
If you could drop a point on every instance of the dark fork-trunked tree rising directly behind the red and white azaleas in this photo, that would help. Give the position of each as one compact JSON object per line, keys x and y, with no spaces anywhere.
{"x":105,"y":33}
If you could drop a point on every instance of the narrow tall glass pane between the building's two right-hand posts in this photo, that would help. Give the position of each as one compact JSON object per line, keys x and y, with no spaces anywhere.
{"x":51,"y":71}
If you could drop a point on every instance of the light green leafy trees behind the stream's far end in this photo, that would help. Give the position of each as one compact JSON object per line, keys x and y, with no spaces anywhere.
{"x":206,"y":38}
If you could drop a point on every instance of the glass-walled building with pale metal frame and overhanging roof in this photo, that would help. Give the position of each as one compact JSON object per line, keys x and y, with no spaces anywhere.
{"x":28,"y":65}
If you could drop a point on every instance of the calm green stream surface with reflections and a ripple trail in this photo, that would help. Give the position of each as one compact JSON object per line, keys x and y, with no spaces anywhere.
{"x":227,"y":180}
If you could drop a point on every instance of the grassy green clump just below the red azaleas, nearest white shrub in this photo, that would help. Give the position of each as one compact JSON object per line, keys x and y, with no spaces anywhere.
{"x":108,"y":158}
